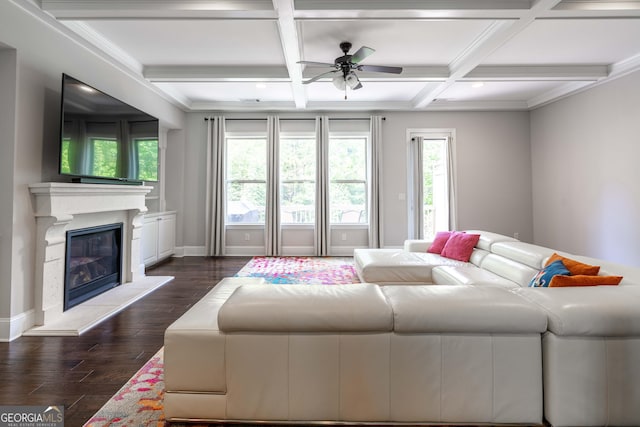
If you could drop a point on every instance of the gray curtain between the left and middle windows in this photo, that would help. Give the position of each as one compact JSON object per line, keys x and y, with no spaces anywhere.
{"x":273,"y":243}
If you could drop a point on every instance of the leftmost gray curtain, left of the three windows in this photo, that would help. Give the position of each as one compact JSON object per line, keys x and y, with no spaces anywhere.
{"x":215,"y":194}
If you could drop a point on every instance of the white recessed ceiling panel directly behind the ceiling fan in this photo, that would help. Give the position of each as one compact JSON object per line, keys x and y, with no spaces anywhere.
{"x":395,"y":42}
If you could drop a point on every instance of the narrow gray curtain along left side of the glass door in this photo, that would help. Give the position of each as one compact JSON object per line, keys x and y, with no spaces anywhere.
{"x":416,"y":223}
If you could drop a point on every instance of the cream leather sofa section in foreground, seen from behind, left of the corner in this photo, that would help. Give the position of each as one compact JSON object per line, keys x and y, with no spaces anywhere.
{"x":251,"y":352}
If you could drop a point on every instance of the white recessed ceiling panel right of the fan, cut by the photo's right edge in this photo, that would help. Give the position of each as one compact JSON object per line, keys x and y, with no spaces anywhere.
{"x":586,"y":41}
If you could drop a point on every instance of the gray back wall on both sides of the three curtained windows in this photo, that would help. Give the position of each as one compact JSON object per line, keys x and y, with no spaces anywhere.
{"x":493,"y":173}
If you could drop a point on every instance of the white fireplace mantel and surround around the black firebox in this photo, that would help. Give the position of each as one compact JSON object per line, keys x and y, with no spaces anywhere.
{"x":60,"y":207}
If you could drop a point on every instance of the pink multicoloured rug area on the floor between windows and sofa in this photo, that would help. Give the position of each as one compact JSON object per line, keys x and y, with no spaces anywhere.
{"x":310,"y":270}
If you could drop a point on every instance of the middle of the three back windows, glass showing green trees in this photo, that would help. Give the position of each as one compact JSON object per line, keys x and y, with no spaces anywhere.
{"x":297,"y":179}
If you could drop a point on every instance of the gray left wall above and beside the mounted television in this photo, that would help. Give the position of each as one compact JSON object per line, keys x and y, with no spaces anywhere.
{"x":42,"y":55}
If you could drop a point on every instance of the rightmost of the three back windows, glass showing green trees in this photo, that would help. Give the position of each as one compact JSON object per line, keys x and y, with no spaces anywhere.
{"x":348,"y":180}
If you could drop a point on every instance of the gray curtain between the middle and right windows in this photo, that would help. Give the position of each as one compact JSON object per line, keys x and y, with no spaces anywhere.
{"x":322,"y":187}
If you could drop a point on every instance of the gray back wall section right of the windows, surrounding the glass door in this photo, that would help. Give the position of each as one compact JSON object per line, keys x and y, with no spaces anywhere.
{"x":493,"y":171}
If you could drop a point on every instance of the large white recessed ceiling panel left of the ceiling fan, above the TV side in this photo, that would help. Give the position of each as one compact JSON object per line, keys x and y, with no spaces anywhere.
{"x":195,"y":42}
